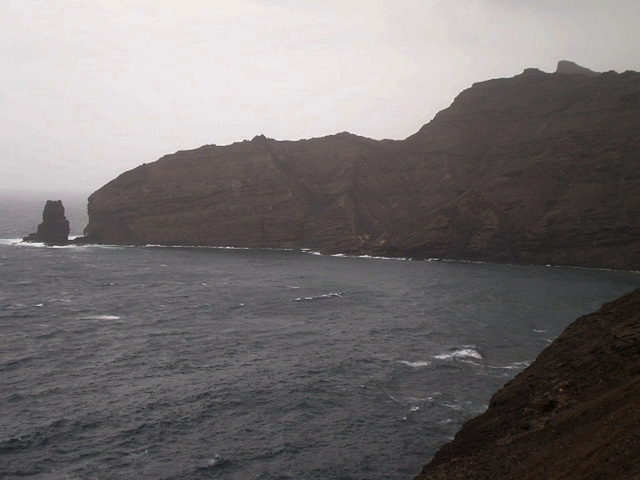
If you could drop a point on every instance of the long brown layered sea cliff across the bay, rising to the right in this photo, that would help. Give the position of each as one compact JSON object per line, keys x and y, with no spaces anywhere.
{"x":538,"y":168}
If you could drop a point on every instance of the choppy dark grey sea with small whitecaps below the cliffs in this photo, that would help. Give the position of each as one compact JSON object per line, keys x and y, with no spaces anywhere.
{"x":198,"y":363}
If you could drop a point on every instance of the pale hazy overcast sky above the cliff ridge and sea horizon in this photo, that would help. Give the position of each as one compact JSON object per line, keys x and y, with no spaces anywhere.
{"x":91,"y":88}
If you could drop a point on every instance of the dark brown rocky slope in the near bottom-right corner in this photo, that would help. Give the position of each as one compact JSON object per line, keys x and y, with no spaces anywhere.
{"x":573,"y":414}
